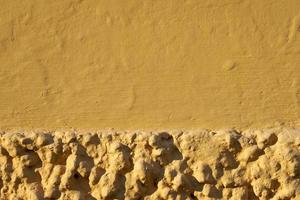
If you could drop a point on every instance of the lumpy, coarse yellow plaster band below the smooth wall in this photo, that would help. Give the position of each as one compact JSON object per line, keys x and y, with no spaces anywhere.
{"x":198,"y":164}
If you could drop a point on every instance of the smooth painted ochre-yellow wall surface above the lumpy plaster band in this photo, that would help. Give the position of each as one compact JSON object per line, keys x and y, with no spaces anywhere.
{"x":143,"y":64}
